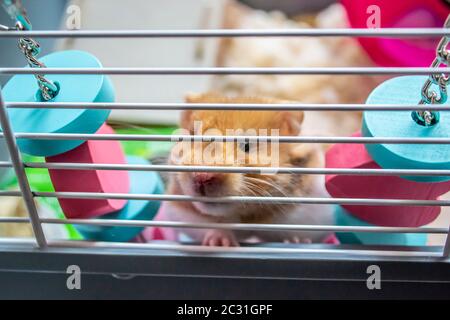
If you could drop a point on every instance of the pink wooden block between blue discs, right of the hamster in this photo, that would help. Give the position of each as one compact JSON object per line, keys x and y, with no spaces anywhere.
{"x":355,"y":156}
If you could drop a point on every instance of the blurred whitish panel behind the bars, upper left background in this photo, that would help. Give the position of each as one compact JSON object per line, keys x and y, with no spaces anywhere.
{"x":183,"y":52}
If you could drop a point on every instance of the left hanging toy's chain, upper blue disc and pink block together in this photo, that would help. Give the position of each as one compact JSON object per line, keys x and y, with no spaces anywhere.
{"x":50,"y":90}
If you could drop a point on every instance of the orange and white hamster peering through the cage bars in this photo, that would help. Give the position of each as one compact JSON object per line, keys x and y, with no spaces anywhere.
{"x":214,"y":184}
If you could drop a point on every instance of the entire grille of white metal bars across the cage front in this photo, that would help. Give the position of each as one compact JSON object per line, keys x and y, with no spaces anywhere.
{"x":28,"y":195}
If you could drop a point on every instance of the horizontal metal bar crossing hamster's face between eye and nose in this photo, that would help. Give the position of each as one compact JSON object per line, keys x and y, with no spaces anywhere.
{"x":257,"y":170}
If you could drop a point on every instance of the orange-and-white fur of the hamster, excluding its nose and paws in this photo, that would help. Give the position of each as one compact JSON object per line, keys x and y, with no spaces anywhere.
{"x":245,"y":184}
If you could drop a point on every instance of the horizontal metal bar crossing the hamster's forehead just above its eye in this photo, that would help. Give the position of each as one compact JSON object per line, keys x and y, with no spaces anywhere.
{"x":281,"y":139}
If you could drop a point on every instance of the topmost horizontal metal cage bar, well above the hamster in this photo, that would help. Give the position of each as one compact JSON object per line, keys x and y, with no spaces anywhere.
{"x":325,"y":32}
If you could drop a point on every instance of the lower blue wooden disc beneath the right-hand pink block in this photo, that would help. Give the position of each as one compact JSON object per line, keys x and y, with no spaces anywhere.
{"x":343,"y":218}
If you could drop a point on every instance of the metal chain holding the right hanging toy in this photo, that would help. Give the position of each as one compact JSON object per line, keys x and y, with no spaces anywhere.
{"x":429,"y":95}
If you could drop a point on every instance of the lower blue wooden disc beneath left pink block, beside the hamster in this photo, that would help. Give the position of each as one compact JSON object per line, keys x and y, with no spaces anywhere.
{"x":142,"y":182}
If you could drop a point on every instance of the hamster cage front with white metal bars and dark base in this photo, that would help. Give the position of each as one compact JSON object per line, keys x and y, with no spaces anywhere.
{"x":37,"y":267}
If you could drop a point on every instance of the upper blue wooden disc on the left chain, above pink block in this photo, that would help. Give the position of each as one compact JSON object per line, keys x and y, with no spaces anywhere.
{"x":73,"y":88}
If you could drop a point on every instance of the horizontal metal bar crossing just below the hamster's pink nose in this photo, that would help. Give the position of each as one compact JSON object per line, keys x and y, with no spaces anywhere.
{"x":244,"y":199}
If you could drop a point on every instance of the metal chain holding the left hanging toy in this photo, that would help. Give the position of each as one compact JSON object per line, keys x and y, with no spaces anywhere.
{"x":29,"y":47}
